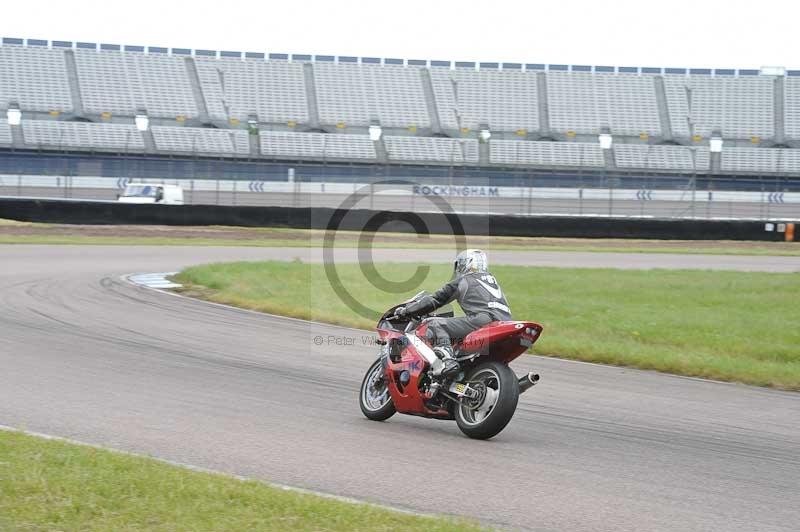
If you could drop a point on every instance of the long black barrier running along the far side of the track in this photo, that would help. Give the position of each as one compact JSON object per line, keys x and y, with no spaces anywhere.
{"x":111,"y":213}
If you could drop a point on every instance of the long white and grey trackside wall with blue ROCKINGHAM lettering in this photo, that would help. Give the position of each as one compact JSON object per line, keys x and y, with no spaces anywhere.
{"x":680,"y":200}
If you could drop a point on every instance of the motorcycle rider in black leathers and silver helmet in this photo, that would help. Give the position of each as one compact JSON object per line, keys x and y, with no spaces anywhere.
{"x":479,"y":296}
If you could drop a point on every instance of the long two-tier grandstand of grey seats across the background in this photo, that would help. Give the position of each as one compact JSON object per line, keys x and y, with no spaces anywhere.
{"x":84,"y":97}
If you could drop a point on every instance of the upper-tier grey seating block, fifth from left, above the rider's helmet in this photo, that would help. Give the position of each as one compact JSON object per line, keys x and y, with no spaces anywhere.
{"x":503,"y":100}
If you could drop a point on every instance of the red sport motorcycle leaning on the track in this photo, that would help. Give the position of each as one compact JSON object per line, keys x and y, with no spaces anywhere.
{"x":482,"y":398}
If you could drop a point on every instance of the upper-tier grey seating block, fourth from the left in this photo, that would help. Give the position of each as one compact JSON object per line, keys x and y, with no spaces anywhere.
{"x":358,"y":94}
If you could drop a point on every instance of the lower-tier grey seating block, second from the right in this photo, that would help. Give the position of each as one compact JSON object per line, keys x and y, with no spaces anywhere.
{"x":661,"y":157}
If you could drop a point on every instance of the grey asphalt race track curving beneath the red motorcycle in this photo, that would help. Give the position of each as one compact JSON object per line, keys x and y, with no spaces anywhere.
{"x":85,"y":355}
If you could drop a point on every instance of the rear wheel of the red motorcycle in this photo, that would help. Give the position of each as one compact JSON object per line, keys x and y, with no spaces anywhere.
{"x":485,"y":417}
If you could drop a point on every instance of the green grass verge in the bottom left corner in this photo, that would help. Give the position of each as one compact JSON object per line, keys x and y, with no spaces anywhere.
{"x":53,"y":485}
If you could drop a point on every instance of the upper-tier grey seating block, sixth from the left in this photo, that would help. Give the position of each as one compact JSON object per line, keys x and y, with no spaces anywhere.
{"x":587,"y":103}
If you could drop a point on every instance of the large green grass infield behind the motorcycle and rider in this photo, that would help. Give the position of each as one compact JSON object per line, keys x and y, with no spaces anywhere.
{"x":731,"y":326}
